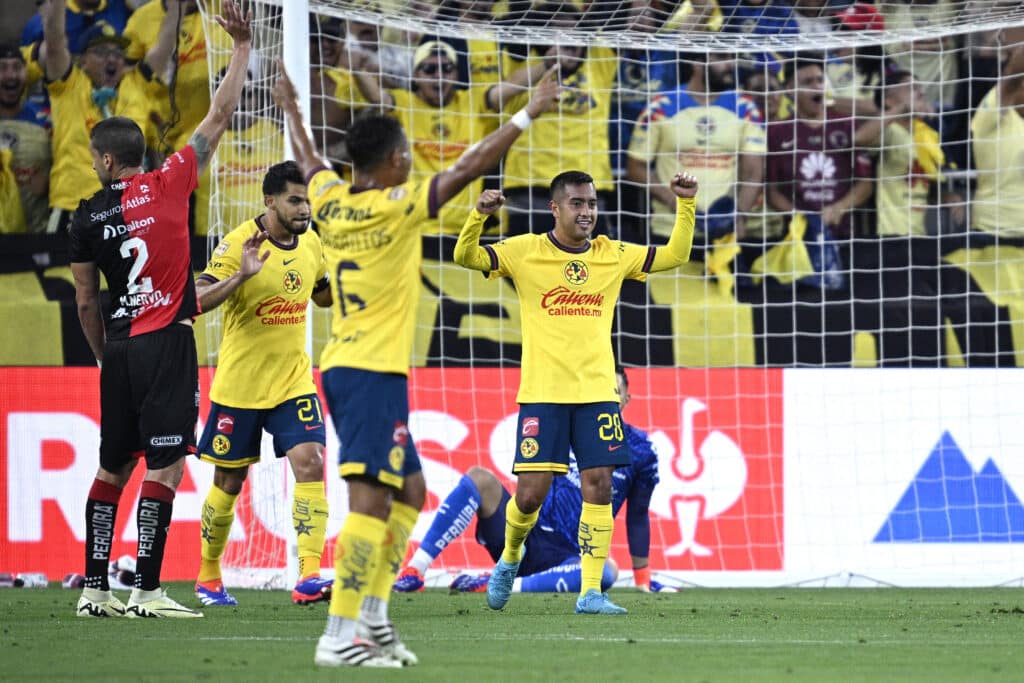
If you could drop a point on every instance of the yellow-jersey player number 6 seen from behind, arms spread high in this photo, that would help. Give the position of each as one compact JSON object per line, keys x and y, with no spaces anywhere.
{"x":371,"y":234}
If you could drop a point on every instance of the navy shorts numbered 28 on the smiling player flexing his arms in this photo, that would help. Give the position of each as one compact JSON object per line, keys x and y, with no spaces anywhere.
{"x":547,"y":432}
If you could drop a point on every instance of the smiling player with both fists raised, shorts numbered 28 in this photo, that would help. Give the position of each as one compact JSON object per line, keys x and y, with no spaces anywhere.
{"x":569,"y":285}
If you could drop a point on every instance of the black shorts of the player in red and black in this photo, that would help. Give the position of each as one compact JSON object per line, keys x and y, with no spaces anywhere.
{"x":149,"y":397}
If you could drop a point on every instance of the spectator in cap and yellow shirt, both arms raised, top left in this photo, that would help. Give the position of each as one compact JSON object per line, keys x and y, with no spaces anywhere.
{"x":82,"y":95}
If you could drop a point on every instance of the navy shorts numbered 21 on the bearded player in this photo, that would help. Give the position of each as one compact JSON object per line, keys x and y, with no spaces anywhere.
{"x":233,"y":436}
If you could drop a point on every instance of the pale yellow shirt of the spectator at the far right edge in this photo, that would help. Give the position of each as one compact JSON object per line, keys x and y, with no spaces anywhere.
{"x":999,"y":158}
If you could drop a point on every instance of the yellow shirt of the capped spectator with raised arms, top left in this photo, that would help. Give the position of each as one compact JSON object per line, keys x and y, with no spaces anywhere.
{"x":74,"y":115}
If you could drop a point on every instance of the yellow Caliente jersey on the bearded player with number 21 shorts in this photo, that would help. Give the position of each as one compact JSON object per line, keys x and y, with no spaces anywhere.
{"x":263,"y":361}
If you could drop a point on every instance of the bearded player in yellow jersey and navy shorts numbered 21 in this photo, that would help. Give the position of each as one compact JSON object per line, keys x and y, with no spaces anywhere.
{"x":264,"y":378}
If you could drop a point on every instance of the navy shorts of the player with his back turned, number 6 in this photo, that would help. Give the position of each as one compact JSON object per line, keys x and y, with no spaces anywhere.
{"x":371,"y":414}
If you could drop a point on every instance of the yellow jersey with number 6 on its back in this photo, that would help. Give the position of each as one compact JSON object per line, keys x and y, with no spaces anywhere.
{"x":373,"y":249}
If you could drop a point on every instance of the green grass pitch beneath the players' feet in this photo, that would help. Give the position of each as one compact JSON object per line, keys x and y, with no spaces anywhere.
{"x":698,"y":635}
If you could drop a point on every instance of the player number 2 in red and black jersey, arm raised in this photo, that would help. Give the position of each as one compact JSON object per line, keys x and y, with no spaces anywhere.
{"x":136,"y":232}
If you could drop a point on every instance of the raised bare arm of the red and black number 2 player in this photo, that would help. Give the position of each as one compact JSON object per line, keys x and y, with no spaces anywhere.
{"x":226,"y":100}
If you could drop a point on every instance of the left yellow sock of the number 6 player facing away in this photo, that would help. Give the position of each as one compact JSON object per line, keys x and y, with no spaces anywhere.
{"x":356,"y":552}
